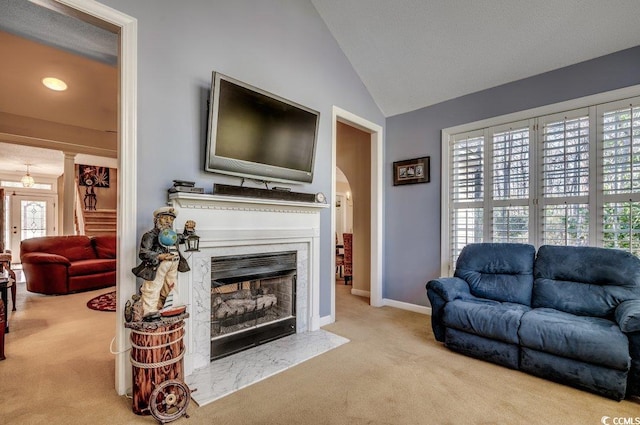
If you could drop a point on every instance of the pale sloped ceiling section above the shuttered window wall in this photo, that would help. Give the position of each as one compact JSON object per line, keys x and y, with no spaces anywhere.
{"x":415,"y":53}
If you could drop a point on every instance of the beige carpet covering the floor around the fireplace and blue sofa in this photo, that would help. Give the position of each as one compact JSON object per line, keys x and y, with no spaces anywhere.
{"x":59,"y":371}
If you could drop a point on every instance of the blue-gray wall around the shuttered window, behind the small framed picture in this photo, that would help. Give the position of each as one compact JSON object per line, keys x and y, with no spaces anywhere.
{"x":412,"y":213}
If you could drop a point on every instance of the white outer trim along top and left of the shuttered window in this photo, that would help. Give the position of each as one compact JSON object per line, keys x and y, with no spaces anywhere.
{"x":615,"y":95}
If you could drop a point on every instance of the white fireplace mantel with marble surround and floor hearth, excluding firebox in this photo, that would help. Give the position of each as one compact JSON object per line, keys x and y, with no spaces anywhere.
{"x":241,"y":226}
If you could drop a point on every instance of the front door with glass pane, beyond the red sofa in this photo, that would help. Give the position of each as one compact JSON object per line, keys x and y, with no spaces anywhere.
{"x":30,"y":217}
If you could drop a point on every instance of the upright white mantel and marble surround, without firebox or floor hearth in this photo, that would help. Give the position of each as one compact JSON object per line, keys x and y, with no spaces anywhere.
{"x":229,"y":225}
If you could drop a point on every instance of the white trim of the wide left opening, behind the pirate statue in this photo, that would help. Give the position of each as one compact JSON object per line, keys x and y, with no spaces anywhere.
{"x":127,"y":172}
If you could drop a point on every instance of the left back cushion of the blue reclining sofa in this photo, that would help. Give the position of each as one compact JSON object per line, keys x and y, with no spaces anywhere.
{"x":498,"y":271}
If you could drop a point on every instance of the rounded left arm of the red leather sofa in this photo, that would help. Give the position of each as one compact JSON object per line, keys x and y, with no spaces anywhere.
{"x":46,"y":273}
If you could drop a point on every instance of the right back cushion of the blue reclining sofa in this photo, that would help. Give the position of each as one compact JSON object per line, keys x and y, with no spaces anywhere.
{"x":586,"y":281}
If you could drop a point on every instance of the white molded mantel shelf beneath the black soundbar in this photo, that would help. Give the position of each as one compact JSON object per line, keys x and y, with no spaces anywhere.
{"x":200,"y":200}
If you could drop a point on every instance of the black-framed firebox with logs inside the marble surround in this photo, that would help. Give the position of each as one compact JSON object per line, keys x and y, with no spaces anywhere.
{"x":253,"y":299}
